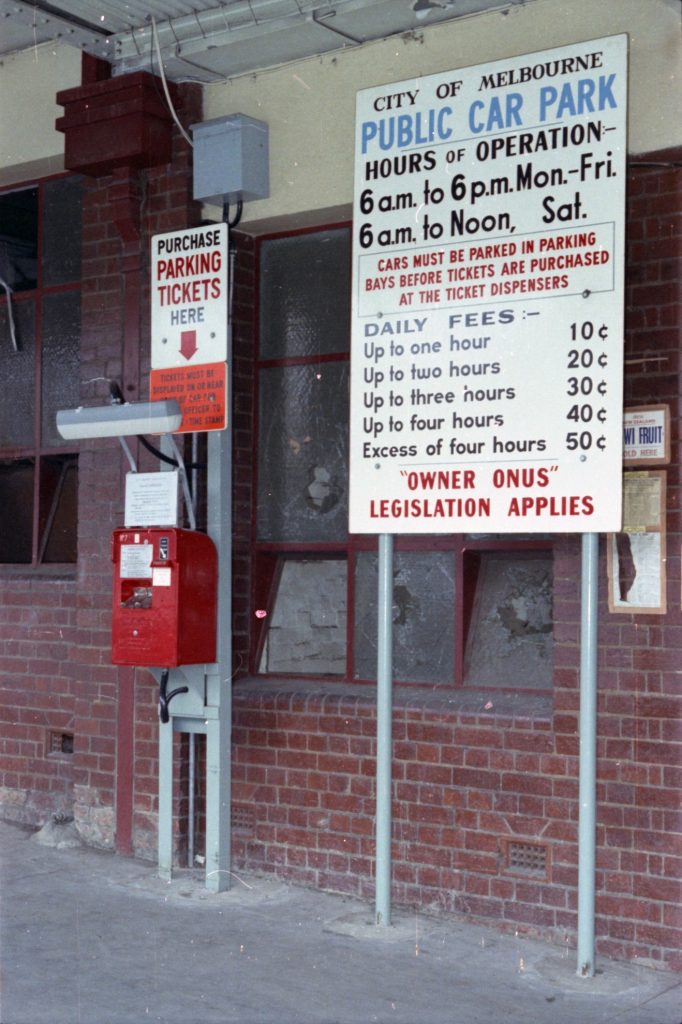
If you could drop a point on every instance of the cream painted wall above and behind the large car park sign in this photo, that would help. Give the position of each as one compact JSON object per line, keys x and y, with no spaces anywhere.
{"x":310,"y":106}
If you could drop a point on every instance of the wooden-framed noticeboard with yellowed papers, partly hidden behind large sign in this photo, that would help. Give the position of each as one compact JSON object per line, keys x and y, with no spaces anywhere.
{"x":636,"y":558}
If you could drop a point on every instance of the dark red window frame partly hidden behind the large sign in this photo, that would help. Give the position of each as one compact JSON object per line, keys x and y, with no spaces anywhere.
{"x":268,"y":557}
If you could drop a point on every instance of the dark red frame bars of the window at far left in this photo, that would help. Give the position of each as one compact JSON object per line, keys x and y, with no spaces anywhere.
{"x":38,"y":452}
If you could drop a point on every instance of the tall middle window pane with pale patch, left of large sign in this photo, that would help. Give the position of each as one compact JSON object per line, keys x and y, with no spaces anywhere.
{"x":304,"y":453}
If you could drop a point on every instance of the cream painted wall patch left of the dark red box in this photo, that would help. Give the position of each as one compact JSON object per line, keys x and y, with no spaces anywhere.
{"x":30,"y":146}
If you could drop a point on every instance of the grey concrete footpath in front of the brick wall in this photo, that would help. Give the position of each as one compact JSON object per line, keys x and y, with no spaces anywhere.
{"x":93,"y":938}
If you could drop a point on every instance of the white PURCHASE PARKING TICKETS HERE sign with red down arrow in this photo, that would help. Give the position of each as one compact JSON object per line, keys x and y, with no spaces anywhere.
{"x":190,"y":297}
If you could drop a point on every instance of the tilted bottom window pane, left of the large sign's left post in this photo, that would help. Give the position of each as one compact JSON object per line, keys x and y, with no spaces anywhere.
{"x":307,"y":630}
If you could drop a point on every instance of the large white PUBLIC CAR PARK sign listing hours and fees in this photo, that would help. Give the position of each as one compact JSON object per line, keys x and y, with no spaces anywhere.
{"x":487,"y":354}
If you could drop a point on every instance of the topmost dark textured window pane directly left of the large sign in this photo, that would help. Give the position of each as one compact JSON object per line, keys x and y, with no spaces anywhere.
{"x":306,"y":295}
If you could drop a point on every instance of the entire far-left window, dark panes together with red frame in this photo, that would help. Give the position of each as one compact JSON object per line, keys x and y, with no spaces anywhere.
{"x":40,"y":253}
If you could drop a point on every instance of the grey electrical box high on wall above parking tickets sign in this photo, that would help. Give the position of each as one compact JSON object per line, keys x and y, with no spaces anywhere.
{"x":231,"y":159}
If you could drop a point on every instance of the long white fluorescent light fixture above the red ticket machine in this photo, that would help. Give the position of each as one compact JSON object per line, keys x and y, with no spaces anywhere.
{"x":120,"y":420}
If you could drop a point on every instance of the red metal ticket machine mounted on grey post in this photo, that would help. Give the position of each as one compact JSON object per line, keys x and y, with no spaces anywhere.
{"x":164,"y":608}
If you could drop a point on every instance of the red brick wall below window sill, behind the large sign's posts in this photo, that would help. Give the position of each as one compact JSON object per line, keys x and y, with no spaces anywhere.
{"x":471,"y":792}
